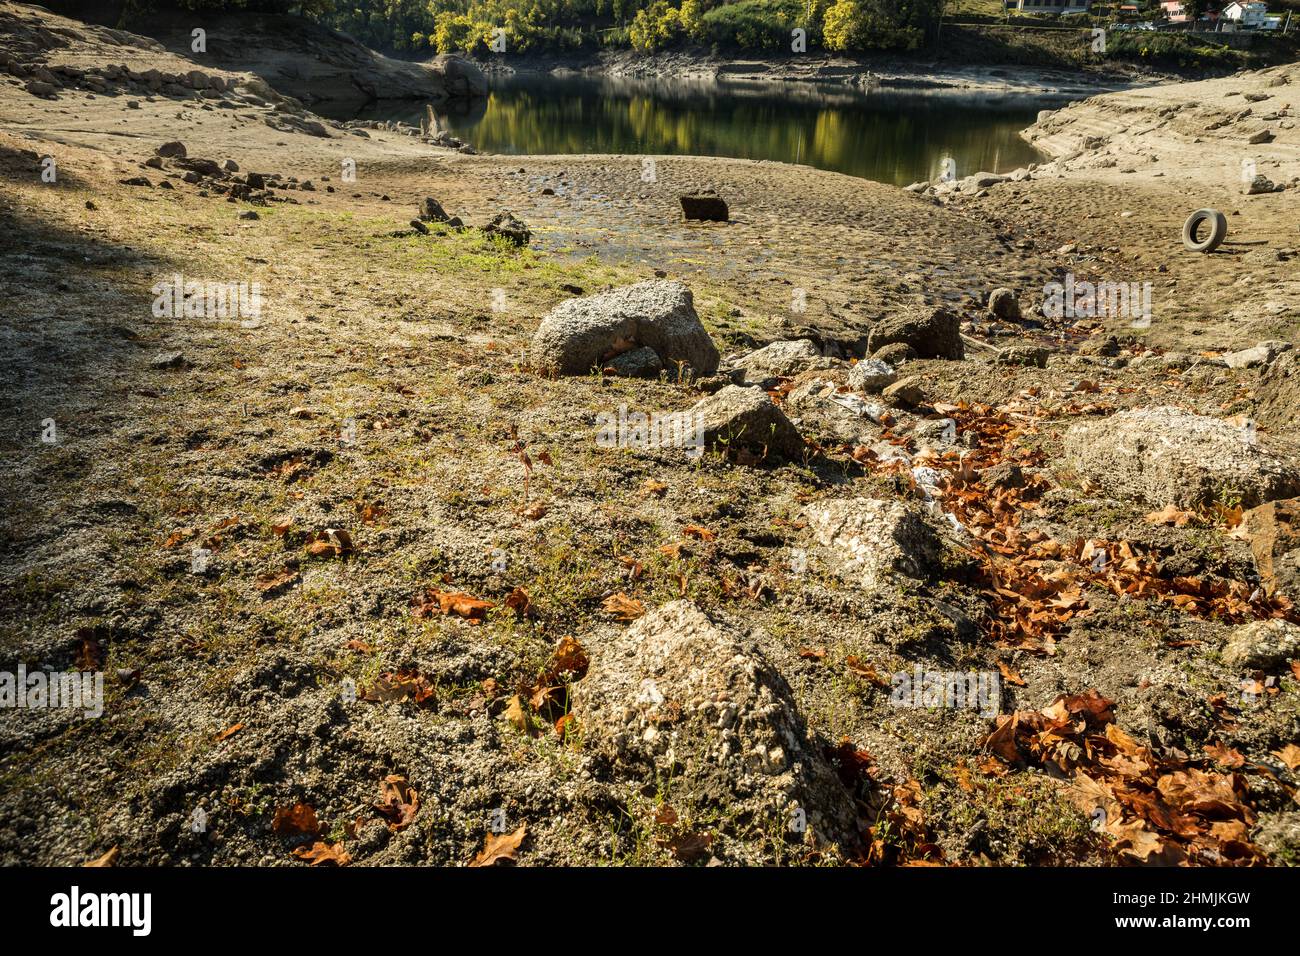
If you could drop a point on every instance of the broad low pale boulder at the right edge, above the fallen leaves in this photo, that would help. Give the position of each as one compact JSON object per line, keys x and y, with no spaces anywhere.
{"x":1165,"y":456}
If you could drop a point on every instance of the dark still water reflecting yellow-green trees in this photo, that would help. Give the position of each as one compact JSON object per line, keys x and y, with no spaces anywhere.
{"x":886,"y":136}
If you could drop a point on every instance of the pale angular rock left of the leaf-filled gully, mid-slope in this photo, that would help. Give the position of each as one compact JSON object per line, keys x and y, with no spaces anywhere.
{"x":876,"y":543}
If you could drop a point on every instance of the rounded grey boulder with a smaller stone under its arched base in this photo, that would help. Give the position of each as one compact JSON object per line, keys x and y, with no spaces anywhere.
{"x":583,"y":335}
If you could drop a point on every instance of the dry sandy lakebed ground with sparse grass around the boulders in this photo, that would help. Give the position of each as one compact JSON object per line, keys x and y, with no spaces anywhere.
{"x":384,"y":395}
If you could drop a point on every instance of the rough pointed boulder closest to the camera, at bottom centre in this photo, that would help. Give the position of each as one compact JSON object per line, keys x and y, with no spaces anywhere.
{"x":681,"y":695}
